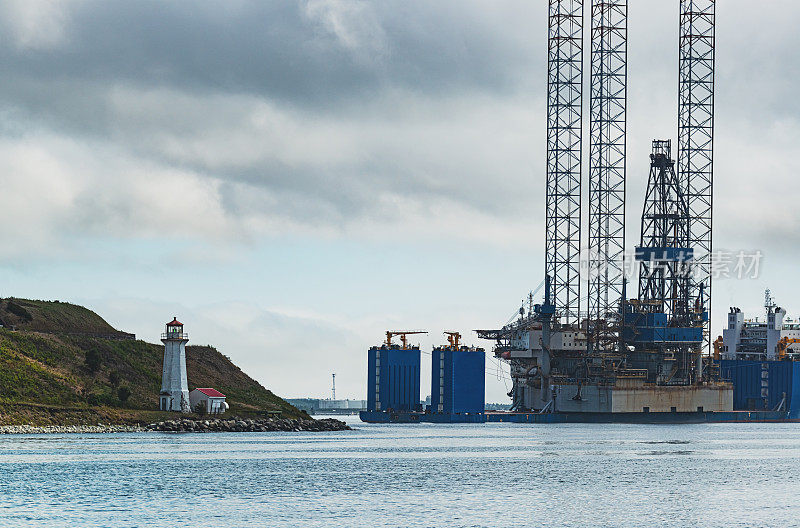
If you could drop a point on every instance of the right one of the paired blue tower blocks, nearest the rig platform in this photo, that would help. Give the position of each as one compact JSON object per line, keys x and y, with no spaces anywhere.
{"x":458,"y":380}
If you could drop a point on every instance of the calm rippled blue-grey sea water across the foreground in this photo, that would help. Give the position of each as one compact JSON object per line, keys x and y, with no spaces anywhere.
{"x":492,"y":475}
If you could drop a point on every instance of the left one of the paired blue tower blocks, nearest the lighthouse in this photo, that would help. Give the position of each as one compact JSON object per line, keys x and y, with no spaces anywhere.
{"x":393,"y":379}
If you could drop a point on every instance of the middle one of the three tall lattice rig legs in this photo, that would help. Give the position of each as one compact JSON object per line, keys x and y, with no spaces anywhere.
{"x":607,"y":156}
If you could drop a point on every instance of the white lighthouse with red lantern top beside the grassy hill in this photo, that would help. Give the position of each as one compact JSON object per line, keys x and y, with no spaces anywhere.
{"x":174,"y":394}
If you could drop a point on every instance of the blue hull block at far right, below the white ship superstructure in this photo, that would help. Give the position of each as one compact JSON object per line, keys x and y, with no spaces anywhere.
{"x":763,"y":385}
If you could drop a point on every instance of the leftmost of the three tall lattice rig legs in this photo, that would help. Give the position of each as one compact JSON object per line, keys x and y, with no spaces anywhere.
{"x":564,"y":127}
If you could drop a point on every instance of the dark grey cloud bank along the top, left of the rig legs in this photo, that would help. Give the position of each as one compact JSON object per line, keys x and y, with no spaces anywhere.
{"x":315,"y":52}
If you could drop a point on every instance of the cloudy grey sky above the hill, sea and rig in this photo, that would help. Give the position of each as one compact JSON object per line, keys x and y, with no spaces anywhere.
{"x":292,"y":179}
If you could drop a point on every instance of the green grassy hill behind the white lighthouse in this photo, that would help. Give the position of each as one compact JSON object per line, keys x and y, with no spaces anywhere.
{"x":63,"y":363}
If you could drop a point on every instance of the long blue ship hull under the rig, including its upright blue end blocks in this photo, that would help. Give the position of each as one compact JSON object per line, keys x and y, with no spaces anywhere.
{"x":764,"y":391}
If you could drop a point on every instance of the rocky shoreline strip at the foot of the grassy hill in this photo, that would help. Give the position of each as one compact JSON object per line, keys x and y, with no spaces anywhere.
{"x":188,"y":425}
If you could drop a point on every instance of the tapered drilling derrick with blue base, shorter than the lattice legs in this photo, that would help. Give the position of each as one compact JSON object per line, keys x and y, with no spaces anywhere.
{"x":665,"y":324}
